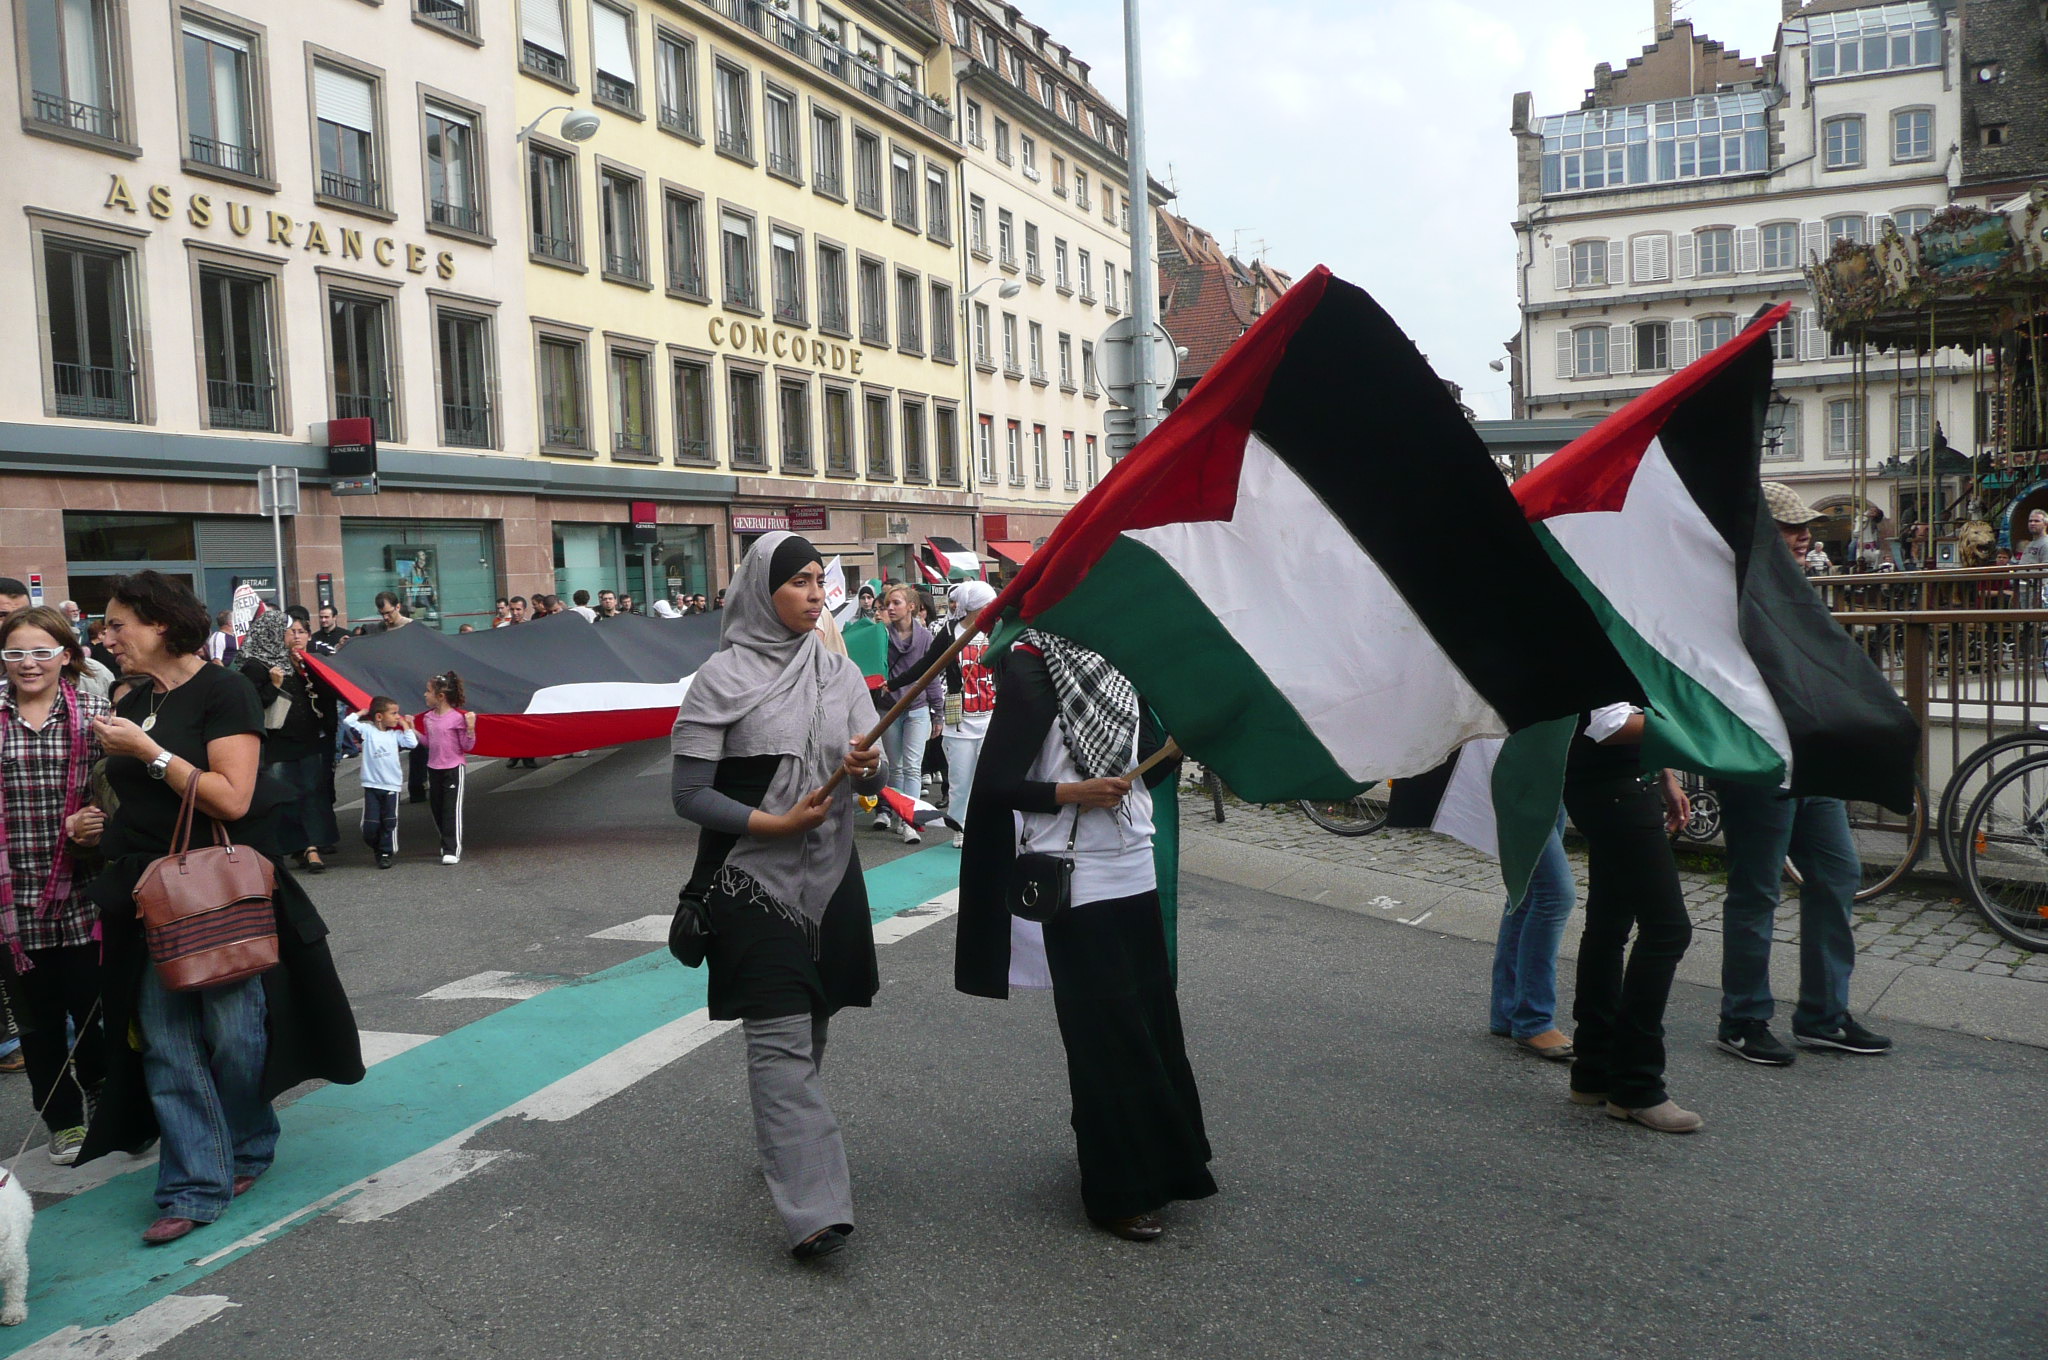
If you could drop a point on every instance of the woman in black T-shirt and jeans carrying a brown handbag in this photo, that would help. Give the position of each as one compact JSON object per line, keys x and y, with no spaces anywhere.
{"x":214,"y":1060}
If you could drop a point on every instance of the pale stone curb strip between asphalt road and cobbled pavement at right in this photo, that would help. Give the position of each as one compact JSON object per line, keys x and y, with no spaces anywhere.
{"x":2006,"y":1009}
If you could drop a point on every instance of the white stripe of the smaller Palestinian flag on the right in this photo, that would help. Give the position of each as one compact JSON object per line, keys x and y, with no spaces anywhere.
{"x":1668,"y":572}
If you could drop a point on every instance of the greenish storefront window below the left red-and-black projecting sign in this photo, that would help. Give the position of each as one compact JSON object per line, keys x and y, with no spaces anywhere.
{"x":445,"y":575}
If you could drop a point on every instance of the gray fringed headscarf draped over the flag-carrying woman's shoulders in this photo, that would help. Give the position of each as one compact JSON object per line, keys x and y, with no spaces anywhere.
{"x":777,"y":693}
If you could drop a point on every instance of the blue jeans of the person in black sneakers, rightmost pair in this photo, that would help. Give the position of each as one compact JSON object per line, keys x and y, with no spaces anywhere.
{"x":1762,"y":831}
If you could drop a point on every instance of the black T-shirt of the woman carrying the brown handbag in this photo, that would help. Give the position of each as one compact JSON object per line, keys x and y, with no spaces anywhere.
{"x":214,"y":704}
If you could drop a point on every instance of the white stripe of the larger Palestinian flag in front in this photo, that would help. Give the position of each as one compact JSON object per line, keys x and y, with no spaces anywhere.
{"x":1361,"y":669}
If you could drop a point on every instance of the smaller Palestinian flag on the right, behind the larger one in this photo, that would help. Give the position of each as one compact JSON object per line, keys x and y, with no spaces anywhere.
{"x":1658,"y":519}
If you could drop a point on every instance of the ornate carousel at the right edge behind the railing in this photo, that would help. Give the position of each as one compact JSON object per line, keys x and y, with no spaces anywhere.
{"x":1971,"y":288}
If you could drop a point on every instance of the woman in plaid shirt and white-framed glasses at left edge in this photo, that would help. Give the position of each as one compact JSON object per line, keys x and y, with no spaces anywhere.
{"x":48,"y":751}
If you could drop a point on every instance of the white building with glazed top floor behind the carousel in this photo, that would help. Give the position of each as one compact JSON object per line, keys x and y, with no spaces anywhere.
{"x":1695,"y":187}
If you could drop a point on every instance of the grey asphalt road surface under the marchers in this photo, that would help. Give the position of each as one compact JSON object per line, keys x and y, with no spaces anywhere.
{"x":1396,"y":1183}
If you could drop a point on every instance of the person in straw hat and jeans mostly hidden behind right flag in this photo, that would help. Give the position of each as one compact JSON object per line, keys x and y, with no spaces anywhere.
{"x":1766,"y":826}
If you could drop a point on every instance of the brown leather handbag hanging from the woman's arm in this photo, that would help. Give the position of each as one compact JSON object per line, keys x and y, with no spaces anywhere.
{"x":208,"y":912}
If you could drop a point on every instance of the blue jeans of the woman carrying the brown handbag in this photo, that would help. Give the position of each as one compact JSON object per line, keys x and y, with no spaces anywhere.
{"x":204,"y":1056}
